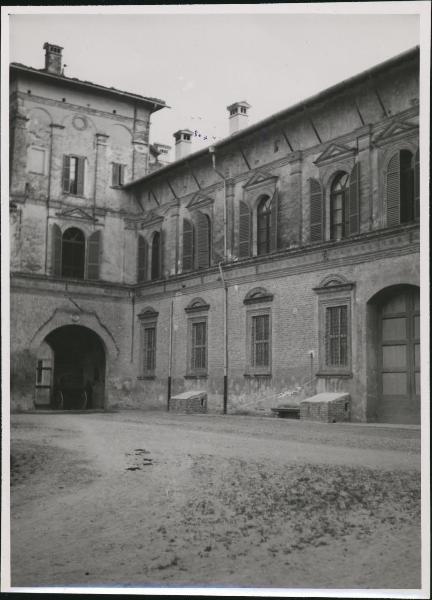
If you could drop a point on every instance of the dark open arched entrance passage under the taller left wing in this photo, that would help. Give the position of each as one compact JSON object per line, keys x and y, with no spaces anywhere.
{"x":71,"y":369}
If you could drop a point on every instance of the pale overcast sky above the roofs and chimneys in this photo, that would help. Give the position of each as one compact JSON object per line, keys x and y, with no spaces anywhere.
{"x":201,"y":63}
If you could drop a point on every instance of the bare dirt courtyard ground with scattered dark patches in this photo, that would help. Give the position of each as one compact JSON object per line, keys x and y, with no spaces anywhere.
{"x":155,"y":499}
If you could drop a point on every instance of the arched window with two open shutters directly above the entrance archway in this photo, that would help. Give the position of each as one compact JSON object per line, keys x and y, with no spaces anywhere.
{"x":74,"y":256}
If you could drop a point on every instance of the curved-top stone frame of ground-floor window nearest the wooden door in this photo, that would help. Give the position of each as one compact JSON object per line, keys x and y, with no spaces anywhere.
{"x":333,"y":292}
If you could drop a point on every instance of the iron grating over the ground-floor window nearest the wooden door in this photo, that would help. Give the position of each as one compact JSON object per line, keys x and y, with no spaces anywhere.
{"x":336,"y":347}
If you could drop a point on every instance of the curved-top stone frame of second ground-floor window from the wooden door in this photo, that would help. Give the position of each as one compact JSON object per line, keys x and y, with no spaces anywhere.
{"x":258,"y":302}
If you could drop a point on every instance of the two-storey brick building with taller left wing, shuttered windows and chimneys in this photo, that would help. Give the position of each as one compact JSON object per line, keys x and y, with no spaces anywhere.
{"x":282,"y":261}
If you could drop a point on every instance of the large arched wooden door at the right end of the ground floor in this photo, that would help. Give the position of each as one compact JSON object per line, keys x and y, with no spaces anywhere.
{"x":394,"y":355}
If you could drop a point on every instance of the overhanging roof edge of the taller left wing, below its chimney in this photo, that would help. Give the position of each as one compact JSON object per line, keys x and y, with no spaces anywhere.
{"x":155,"y":103}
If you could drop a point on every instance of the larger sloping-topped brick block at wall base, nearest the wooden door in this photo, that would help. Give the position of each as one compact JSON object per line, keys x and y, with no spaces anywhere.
{"x":326,"y":408}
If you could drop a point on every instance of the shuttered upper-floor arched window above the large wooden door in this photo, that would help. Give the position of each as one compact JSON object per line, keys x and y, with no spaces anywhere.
{"x":403,"y":188}
